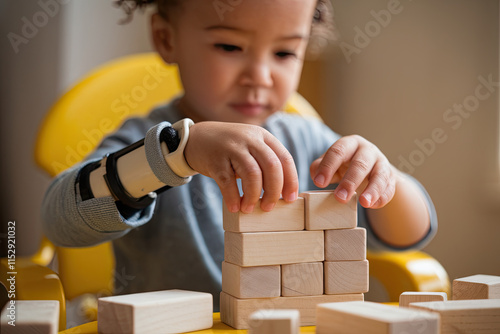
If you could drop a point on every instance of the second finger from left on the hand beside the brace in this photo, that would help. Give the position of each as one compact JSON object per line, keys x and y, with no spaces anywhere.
{"x":250,"y":173}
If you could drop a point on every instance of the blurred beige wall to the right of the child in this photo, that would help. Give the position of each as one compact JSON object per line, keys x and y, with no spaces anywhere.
{"x":420,"y":80}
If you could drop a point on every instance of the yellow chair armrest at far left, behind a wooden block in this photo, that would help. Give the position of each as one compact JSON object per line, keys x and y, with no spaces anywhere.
{"x":34,"y":282}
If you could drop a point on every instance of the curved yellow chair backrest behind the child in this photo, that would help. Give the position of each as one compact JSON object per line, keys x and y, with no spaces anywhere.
{"x":75,"y":125}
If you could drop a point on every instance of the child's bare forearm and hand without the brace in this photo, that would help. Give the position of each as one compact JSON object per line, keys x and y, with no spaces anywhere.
{"x":398,"y":213}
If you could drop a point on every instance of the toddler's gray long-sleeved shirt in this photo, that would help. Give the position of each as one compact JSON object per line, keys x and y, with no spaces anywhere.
{"x":178,"y":241}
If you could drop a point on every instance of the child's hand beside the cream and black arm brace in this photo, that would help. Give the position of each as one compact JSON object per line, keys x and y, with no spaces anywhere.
{"x":227,"y":151}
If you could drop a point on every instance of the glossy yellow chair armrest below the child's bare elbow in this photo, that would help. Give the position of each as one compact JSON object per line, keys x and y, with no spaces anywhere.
{"x":407,"y":271}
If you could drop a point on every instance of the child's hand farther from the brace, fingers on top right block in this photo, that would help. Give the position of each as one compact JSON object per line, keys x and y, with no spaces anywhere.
{"x":354,"y":162}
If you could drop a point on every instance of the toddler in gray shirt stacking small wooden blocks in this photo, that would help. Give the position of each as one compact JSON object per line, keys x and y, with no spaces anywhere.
{"x":239,"y":61}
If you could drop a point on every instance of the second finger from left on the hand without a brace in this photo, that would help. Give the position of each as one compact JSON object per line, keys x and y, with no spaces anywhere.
{"x":359,"y":168}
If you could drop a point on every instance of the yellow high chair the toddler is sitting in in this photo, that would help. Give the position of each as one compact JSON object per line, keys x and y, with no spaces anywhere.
{"x":97,"y":106}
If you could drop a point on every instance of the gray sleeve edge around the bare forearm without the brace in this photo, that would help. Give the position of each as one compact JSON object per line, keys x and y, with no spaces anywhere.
{"x":376,"y":244}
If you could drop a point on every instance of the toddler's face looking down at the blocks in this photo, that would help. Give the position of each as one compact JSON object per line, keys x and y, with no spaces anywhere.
{"x":238,"y":65}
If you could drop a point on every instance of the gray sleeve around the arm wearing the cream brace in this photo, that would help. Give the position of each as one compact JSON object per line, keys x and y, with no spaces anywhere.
{"x":70,"y":222}
